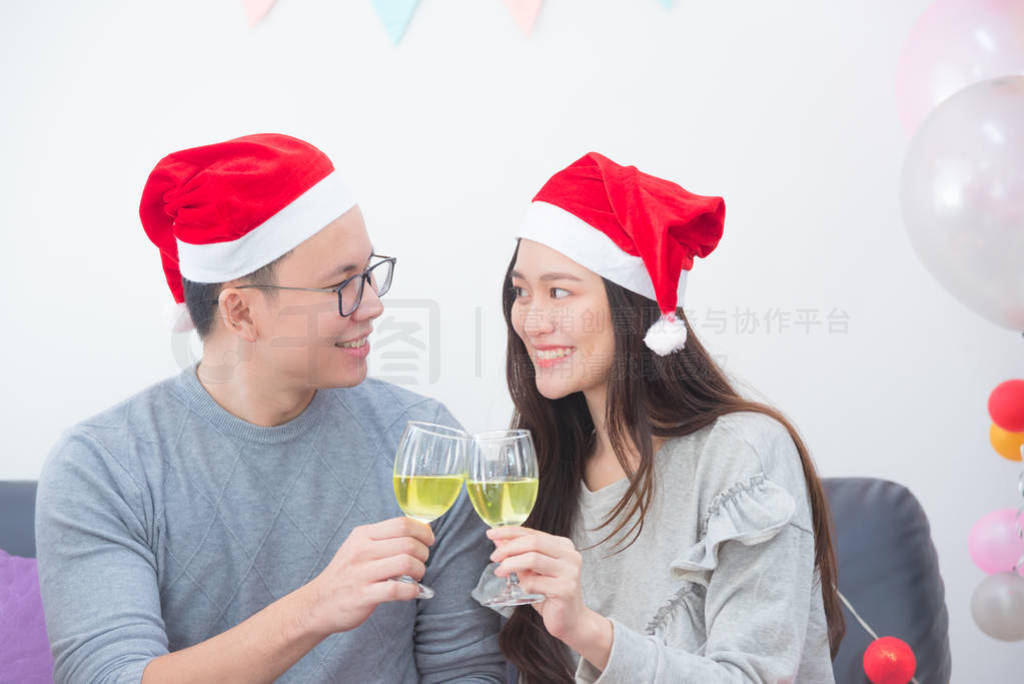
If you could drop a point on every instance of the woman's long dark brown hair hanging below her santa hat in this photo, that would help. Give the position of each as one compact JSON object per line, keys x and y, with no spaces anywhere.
{"x":649,"y":396}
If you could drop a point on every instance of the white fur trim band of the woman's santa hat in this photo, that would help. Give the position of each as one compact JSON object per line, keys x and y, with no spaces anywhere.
{"x":566,"y":233}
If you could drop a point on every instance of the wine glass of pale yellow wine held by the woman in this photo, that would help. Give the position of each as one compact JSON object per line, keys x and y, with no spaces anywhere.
{"x":502,"y":484}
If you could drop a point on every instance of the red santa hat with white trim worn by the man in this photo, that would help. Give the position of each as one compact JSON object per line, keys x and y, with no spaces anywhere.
{"x":222,"y":211}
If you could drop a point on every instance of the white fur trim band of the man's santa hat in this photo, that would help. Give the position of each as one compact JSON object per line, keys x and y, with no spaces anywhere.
{"x":306,"y":217}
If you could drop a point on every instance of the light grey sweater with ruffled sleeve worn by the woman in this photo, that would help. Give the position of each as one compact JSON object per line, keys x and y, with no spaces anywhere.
{"x":720,"y":586}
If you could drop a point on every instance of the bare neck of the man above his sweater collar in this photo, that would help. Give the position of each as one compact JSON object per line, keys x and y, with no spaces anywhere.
{"x":247,"y":393}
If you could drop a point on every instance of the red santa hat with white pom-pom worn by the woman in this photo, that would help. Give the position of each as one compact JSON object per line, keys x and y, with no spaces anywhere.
{"x":635,"y":230}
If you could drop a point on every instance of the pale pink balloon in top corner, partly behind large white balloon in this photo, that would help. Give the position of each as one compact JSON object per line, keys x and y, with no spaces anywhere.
{"x":954,"y":45}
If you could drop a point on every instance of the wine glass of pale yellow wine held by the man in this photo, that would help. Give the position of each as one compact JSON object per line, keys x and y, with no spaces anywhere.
{"x":430,"y":468}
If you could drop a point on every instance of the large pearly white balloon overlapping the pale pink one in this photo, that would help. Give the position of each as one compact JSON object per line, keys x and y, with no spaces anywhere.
{"x":963,"y":198}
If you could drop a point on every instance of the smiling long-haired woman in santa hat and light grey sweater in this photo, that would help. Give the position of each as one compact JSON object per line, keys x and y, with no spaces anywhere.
{"x":680,"y":532}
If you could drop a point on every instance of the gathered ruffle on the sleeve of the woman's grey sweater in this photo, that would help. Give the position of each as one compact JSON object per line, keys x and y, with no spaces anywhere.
{"x":750,"y":512}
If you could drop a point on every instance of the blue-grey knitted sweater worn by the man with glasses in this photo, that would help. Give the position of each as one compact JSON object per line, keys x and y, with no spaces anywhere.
{"x":166,"y":521}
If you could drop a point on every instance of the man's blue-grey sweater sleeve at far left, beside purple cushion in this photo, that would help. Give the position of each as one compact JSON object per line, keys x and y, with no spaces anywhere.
{"x":97,"y":570}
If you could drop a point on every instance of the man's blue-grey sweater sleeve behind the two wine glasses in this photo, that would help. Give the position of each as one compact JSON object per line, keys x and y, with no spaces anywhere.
{"x":457,"y":638}
